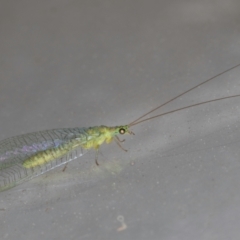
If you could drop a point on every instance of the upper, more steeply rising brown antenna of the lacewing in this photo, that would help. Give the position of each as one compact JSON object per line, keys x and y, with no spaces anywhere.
{"x":136,"y":120}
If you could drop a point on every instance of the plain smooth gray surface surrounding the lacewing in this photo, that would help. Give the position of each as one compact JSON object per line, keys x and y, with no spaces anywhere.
{"x":86,"y":63}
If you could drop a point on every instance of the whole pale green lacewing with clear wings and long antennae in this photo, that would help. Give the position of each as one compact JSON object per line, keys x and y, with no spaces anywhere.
{"x":26,"y":156}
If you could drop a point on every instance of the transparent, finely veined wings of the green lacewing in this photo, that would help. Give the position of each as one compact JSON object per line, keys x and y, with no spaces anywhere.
{"x":15,"y":150}
